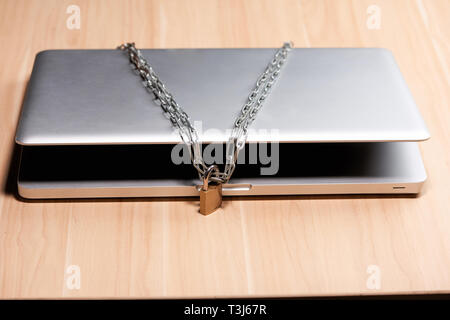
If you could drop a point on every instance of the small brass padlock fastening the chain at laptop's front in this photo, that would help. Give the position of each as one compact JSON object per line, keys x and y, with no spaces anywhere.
{"x":211,"y":193}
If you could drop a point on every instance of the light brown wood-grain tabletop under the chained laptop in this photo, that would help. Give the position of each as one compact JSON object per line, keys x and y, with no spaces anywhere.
{"x":276,"y":246}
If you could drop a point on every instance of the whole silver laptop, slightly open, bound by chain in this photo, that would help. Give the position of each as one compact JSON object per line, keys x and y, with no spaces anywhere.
{"x":337,"y":121}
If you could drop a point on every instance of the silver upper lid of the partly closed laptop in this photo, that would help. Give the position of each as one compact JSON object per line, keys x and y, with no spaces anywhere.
{"x":322,"y":95}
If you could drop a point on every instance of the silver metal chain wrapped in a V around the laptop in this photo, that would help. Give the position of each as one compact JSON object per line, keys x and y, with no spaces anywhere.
{"x":180,"y":120}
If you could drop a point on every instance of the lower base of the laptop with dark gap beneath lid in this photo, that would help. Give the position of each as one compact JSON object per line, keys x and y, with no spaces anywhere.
{"x":117,"y":171}
